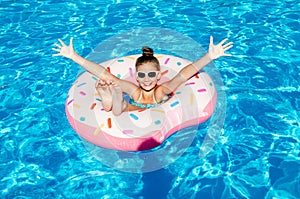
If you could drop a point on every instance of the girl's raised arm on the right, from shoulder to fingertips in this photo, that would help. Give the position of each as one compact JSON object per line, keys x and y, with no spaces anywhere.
{"x":214,"y":52}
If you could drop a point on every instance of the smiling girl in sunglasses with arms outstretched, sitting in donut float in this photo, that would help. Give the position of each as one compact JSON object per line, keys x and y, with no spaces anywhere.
{"x":148,"y":93}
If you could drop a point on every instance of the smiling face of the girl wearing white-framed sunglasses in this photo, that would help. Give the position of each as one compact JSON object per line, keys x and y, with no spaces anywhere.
{"x":147,"y":76}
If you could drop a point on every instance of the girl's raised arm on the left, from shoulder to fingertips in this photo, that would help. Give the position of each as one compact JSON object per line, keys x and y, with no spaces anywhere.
{"x":94,"y":68}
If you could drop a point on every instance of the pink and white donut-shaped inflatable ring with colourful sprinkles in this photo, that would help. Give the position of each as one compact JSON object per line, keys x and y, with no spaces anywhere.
{"x":192,"y":104}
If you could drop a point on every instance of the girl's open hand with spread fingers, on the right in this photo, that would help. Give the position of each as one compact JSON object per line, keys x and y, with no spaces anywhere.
{"x":216,"y":51}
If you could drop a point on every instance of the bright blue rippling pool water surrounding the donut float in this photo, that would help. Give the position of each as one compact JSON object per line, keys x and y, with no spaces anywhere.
{"x":256,"y":155}
